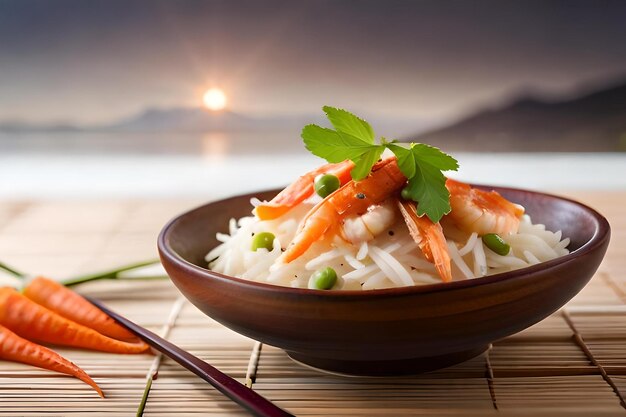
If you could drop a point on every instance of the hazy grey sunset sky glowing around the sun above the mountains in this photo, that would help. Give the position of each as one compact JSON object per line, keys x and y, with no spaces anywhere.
{"x":94,"y":62}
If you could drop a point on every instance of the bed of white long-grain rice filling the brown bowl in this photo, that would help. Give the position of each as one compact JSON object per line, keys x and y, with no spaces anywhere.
{"x":383,"y":262}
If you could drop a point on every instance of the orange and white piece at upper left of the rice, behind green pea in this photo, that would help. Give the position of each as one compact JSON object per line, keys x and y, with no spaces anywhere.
{"x":301,"y":189}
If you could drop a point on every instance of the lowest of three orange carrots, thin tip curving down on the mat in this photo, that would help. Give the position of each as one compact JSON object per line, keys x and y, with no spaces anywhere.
{"x":16,"y":349}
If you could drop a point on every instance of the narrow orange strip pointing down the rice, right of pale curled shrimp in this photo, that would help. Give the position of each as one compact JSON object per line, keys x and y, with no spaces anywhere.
{"x":429,"y":236}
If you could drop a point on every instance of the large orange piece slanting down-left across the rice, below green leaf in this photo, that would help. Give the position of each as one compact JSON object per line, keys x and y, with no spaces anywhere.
{"x":355,"y":197}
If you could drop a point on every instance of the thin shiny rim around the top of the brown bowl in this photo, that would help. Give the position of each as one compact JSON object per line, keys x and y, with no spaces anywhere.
{"x":600,"y":236}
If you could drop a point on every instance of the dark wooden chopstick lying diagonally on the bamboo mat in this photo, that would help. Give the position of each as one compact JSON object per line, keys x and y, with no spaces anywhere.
{"x":228,"y":386}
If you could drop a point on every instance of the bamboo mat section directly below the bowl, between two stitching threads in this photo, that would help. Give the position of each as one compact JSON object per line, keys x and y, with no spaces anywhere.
{"x":307,"y":392}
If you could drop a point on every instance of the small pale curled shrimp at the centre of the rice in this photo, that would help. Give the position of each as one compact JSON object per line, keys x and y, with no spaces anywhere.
{"x":358,"y":229}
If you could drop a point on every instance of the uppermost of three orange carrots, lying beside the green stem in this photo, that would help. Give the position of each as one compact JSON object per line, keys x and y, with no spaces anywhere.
{"x":71,"y":305}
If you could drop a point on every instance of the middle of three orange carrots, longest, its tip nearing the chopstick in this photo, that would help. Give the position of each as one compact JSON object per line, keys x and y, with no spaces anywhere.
{"x":34,"y":322}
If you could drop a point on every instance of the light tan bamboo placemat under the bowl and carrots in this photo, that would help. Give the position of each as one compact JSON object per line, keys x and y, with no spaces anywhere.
{"x":573,"y":363}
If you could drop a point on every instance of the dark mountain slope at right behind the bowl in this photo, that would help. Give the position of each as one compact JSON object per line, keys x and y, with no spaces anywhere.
{"x":595,"y":122}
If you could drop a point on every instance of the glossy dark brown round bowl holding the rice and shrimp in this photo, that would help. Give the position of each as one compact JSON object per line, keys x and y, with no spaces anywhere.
{"x":390,"y":331}
